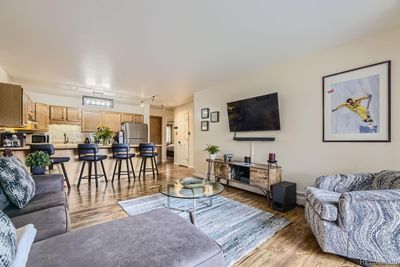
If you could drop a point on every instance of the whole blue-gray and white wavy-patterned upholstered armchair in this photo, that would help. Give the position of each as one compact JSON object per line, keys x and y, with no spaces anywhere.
{"x":357,"y":215}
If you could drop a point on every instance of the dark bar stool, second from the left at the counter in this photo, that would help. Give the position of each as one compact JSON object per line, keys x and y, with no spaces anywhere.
{"x":88,"y":153}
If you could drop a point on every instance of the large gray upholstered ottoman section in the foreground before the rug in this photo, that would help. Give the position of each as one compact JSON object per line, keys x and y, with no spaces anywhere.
{"x":156,"y":238}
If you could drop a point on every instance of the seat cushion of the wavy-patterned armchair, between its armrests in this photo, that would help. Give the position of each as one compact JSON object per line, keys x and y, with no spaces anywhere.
{"x":325,"y":203}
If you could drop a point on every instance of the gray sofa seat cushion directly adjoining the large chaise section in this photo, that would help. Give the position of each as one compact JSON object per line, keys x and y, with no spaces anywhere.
{"x":48,"y":222}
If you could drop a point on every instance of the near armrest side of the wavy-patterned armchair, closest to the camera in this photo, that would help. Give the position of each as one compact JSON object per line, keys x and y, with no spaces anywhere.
{"x":371,"y":219}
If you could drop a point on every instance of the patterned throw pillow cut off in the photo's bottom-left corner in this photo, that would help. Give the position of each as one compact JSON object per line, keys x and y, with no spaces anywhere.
{"x":8,"y":240}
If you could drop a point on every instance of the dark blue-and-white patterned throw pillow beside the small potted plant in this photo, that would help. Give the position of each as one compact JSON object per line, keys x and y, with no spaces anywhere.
{"x":16,"y":181}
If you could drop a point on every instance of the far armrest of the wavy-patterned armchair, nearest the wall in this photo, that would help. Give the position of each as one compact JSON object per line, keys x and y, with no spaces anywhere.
{"x":341,"y":183}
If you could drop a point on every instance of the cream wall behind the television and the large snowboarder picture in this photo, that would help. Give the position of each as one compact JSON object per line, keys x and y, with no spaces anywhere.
{"x":299,"y":147}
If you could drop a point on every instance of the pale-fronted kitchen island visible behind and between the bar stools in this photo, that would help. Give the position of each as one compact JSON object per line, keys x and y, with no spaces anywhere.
{"x":73,"y":166}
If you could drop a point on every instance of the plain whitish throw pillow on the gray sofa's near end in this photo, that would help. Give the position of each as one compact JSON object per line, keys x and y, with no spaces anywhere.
{"x":25,"y":237}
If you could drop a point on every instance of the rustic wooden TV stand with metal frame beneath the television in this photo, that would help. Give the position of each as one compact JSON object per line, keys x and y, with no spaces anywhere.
{"x":261,"y":176}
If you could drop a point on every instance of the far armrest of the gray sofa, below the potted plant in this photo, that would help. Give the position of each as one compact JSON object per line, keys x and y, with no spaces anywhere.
{"x":48,"y":183}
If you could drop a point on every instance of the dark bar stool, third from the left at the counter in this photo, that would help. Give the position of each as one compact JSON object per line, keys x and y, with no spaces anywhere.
{"x":120,"y":153}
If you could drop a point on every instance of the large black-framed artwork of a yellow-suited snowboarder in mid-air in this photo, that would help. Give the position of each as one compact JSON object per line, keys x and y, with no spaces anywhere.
{"x":356,"y":105}
